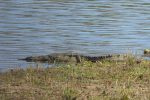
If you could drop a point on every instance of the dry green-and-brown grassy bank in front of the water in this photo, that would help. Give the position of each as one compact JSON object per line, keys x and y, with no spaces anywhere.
{"x":103,"y":80}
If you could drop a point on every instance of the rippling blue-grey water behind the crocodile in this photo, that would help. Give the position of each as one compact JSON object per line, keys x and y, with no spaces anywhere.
{"x":94,"y":27}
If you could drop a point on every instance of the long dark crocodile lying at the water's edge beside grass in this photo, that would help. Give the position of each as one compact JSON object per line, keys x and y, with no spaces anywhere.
{"x":65,"y":57}
